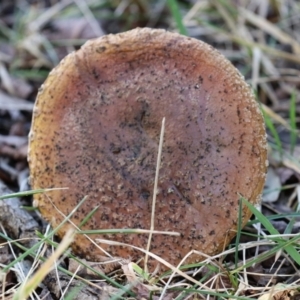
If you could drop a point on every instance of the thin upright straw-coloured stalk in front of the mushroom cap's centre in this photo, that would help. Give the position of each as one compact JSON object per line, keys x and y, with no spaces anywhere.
{"x":161,"y":138}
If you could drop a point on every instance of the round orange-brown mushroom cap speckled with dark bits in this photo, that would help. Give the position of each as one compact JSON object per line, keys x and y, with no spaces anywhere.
{"x":96,"y":127}
